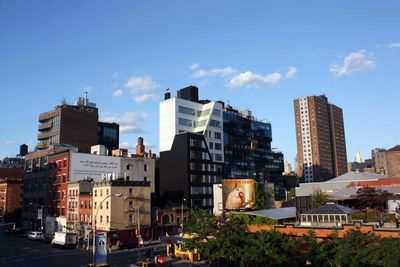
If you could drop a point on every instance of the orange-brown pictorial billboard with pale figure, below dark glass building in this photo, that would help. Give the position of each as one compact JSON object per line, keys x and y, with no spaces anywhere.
{"x":238,"y":194}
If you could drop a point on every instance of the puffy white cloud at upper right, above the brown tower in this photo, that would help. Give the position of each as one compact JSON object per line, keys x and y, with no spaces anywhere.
{"x":353,"y":62}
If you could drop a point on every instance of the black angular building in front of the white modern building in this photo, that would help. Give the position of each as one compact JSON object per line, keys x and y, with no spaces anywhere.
{"x":187,"y":173}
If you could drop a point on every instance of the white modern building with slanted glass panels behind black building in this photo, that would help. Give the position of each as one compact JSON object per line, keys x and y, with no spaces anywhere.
{"x":186,"y":113}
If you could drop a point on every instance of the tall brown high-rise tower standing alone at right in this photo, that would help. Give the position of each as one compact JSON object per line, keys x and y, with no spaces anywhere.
{"x":321,"y":144}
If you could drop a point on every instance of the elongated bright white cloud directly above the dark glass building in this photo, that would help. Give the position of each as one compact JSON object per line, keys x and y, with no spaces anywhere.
{"x":250,"y":79}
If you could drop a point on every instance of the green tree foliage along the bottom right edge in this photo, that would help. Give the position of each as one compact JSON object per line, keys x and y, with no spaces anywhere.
{"x":229,"y":243}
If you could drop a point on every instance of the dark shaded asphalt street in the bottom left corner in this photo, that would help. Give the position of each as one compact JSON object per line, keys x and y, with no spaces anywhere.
{"x":21,"y":252}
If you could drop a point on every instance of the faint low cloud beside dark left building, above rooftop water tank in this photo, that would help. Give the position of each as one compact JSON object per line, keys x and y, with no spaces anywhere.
{"x":129,"y":122}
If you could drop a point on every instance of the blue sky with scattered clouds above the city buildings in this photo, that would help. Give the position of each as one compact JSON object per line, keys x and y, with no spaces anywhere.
{"x":259,"y":55}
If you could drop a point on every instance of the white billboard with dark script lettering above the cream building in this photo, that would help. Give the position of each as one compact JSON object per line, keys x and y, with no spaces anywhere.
{"x":92,"y":166}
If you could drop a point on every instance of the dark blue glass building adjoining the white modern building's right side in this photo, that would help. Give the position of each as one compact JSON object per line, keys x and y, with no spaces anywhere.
{"x":247,"y":148}
